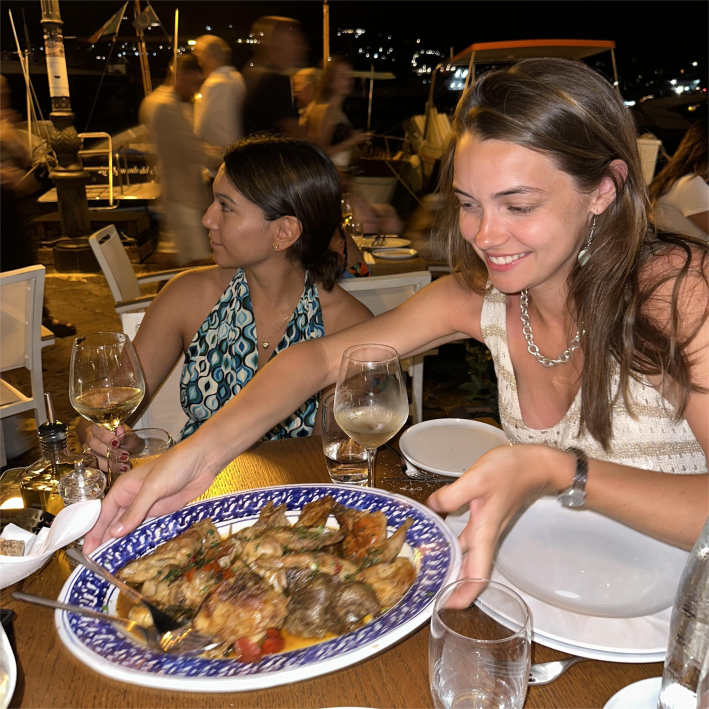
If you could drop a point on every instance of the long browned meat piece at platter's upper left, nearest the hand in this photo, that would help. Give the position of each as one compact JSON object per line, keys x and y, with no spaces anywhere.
{"x":175,"y":552}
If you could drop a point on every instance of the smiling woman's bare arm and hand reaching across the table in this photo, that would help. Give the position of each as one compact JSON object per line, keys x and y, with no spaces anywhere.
{"x":440,"y":313}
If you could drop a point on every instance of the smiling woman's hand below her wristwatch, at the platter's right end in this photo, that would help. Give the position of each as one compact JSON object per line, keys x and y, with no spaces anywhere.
{"x":494,"y":489}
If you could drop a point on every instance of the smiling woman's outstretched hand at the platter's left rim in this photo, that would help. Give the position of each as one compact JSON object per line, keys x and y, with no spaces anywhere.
{"x":155,"y":488}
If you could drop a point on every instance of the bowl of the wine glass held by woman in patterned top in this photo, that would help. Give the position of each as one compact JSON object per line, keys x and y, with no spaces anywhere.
{"x":106,"y":382}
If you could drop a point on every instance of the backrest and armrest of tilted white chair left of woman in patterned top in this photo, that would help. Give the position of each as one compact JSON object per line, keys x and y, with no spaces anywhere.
{"x":118,"y":270}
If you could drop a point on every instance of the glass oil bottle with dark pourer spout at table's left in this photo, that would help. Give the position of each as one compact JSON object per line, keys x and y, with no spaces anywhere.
{"x":38,"y":486}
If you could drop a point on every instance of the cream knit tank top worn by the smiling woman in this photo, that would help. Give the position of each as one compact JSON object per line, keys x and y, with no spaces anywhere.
{"x":650,"y":438}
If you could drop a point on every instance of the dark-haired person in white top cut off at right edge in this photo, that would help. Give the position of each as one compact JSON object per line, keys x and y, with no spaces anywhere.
{"x":679,"y":192}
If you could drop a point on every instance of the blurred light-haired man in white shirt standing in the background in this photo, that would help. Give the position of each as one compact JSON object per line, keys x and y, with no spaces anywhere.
{"x":218,"y":119}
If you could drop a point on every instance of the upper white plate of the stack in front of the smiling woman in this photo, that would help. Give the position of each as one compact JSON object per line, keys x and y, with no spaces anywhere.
{"x":588,"y":563}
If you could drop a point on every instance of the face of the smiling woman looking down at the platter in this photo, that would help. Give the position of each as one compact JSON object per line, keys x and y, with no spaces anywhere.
{"x":524,"y":217}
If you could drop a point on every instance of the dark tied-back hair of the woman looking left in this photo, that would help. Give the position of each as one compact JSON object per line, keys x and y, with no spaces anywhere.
{"x":288,"y":176}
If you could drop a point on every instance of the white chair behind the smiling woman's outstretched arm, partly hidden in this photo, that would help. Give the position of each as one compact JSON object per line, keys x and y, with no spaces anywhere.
{"x":382,"y":293}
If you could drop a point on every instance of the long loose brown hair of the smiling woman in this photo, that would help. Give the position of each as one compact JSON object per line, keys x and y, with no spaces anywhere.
{"x":571,"y":114}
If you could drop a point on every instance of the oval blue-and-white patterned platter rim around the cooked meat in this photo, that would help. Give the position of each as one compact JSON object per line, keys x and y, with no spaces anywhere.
{"x":430,"y":544}
